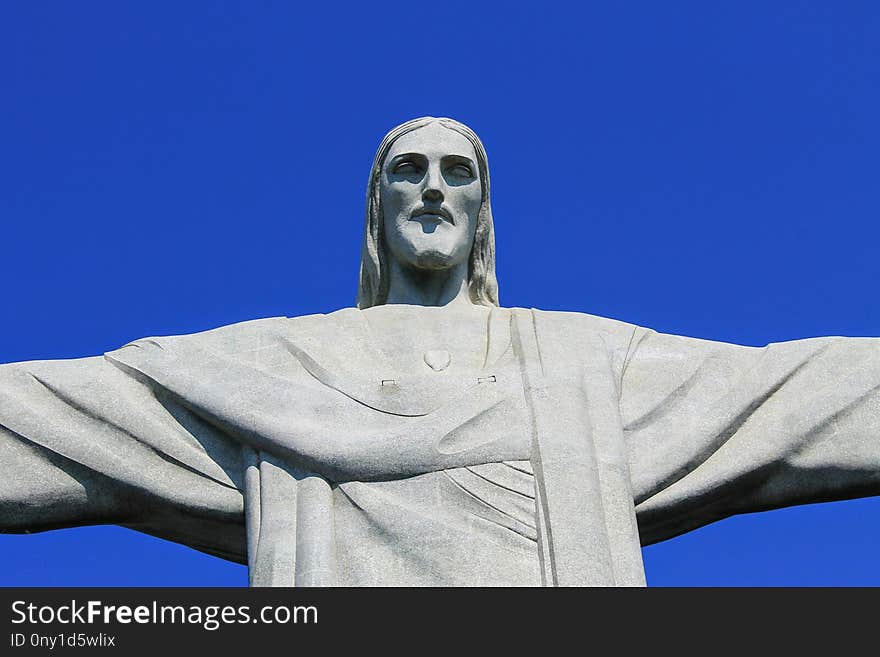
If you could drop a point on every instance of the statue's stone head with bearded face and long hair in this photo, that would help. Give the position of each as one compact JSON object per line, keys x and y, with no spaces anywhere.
{"x":428,"y":208}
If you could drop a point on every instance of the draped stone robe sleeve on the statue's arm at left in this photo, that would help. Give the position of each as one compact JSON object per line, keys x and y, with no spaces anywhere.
{"x":82,"y":442}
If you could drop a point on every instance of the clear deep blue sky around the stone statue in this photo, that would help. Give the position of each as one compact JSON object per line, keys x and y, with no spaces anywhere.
{"x":707,"y":169}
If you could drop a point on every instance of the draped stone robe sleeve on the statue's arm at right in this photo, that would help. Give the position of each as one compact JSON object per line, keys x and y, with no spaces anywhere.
{"x":716,"y":429}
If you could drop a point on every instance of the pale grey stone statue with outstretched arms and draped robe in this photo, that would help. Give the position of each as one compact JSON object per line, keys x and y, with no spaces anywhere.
{"x":430,"y":436}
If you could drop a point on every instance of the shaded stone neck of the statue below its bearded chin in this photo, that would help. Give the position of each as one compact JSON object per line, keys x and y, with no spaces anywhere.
{"x":423,"y":287}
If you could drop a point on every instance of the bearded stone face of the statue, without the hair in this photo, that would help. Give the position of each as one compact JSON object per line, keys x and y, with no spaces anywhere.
{"x":431,"y":198}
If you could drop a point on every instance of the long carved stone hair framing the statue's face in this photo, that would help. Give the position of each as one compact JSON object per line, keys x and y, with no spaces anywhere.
{"x":374,"y":277}
